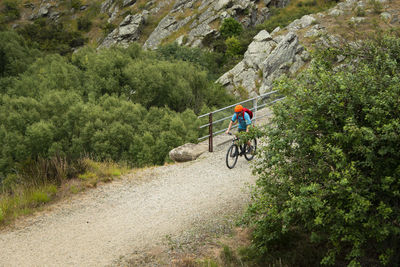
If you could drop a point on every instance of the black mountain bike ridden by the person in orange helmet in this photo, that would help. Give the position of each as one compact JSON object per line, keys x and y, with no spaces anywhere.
{"x":236,"y":150}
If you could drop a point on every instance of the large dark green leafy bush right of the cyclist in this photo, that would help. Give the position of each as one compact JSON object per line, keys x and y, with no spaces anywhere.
{"x":329,"y":177}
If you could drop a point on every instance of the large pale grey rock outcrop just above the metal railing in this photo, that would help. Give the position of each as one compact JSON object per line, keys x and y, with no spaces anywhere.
{"x":266,"y":59}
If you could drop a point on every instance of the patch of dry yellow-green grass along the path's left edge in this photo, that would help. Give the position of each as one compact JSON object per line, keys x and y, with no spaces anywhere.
{"x":24,"y":199}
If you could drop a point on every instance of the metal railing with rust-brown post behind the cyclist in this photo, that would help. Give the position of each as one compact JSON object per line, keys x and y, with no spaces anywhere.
{"x":255,"y":104}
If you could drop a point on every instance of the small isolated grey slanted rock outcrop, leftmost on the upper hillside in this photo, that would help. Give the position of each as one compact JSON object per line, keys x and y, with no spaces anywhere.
{"x":128,"y":31}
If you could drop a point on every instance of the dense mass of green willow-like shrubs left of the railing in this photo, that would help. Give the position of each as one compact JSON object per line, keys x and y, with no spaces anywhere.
{"x":121,"y":105}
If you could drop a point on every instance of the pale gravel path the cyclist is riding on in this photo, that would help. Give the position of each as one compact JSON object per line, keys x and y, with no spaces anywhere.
{"x":98,"y":227}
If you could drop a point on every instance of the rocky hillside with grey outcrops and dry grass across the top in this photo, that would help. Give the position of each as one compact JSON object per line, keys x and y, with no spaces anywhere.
{"x":196,"y":23}
